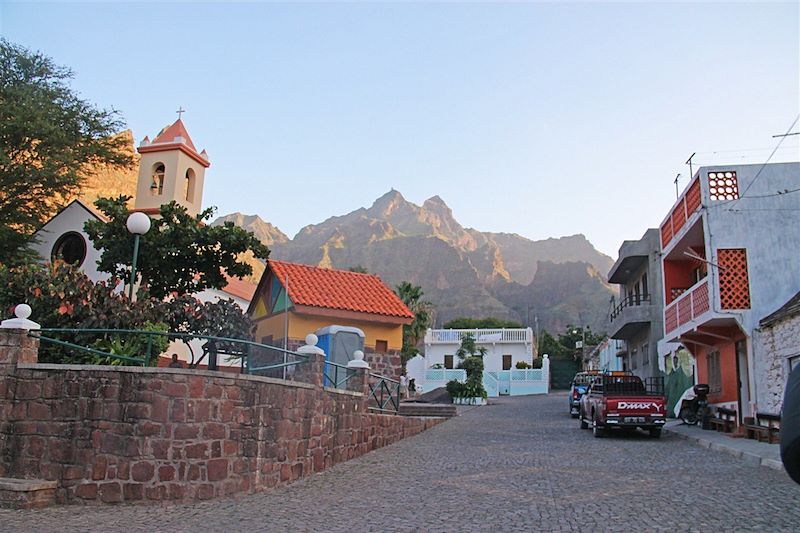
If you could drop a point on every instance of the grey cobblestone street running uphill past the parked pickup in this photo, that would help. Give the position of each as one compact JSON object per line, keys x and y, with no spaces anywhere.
{"x":520,"y":464}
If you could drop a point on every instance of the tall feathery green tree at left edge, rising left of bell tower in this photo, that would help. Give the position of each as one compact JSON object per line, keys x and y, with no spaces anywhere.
{"x":49,"y":139}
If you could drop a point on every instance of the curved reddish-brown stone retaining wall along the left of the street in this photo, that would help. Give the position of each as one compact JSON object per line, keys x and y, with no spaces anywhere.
{"x":113,"y":434}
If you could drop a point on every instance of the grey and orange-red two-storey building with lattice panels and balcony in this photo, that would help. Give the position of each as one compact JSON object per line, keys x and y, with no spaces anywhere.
{"x":729,"y":255}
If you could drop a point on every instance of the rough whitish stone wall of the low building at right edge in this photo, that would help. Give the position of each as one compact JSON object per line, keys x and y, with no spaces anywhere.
{"x":774,"y":346}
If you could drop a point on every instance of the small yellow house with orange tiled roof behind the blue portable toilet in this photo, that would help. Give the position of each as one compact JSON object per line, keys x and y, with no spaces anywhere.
{"x":293,"y":300}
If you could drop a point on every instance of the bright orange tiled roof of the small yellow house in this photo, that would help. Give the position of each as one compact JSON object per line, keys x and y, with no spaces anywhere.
{"x":339,"y":289}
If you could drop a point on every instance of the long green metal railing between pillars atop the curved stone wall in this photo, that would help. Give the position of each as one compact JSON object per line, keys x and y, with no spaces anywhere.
{"x":246,"y":351}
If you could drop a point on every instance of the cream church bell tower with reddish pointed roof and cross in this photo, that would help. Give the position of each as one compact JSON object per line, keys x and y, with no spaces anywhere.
{"x":170,"y":169}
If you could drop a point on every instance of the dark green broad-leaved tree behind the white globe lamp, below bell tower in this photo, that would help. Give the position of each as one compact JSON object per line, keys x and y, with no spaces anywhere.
{"x":180,"y":254}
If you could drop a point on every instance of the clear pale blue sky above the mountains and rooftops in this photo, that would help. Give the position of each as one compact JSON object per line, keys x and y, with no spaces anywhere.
{"x":542,"y":119}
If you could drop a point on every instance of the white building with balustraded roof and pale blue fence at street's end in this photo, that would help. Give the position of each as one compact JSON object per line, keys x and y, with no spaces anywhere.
{"x":504,"y":349}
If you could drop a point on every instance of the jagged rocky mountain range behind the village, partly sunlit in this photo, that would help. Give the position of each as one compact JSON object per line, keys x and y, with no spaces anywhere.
{"x":463,"y":271}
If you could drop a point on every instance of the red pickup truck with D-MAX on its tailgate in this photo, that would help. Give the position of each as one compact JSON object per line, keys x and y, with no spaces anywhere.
{"x":622,"y":400}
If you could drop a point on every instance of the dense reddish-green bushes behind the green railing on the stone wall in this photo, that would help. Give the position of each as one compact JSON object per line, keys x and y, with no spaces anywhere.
{"x":62,"y":297}
